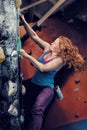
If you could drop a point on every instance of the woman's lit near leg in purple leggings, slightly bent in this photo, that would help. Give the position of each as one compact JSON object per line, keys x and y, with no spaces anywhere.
{"x":41,"y":103}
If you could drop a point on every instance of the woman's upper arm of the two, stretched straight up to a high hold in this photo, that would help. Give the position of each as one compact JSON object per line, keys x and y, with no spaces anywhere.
{"x":41,"y":43}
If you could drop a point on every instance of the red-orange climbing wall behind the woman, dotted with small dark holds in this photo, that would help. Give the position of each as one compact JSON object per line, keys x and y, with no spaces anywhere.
{"x":73,"y":107}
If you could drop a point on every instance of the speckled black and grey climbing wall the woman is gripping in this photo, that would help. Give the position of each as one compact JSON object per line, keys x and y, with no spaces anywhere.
{"x":9,"y":70}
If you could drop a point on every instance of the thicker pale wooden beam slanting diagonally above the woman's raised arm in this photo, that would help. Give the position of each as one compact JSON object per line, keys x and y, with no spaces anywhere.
{"x":53,"y":9}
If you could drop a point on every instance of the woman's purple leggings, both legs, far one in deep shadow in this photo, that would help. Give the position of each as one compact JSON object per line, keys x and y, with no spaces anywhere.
{"x":38,"y":99}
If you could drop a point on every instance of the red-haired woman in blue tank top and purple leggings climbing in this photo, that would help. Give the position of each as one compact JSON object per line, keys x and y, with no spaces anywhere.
{"x":59,"y":53}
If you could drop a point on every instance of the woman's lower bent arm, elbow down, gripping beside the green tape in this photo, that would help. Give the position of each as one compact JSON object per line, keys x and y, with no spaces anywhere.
{"x":52,"y":65}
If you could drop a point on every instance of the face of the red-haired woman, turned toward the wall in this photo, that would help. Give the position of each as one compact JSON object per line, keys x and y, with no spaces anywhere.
{"x":55,"y":46}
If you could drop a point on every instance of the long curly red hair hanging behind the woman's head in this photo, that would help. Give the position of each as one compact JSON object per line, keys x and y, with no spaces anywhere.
{"x":70,"y":54}
